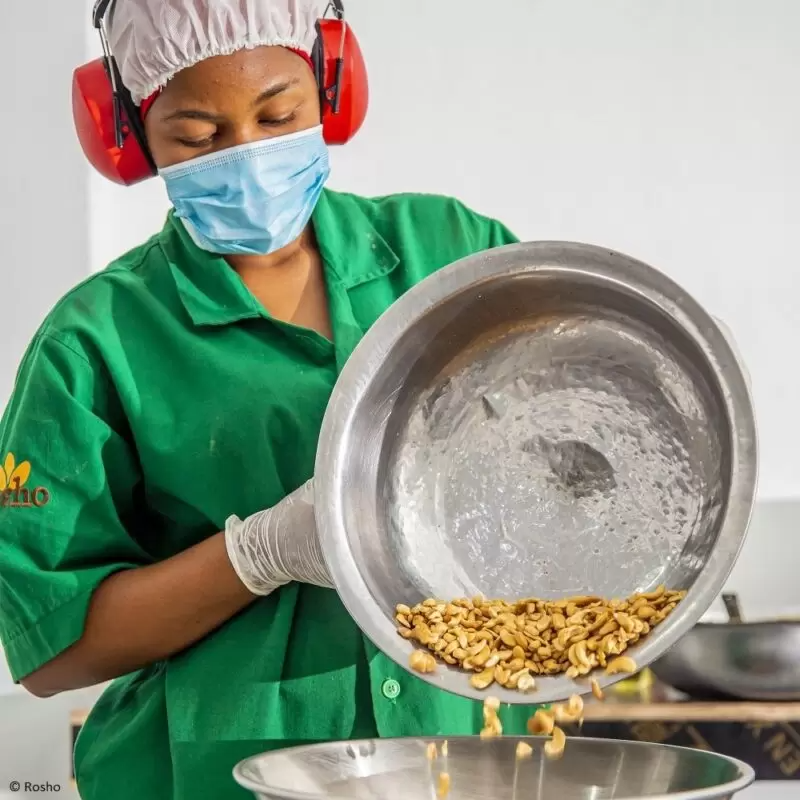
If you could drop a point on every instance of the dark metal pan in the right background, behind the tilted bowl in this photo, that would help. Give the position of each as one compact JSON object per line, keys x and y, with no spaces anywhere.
{"x":743,"y":661}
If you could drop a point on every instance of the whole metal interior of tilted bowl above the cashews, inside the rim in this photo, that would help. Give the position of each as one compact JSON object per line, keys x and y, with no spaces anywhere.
{"x":546,"y":437}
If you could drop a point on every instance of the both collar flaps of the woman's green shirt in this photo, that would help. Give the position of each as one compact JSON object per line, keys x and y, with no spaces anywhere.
{"x":213,"y":294}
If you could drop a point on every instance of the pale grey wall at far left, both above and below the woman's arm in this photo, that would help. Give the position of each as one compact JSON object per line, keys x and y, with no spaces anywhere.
{"x":44,"y":250}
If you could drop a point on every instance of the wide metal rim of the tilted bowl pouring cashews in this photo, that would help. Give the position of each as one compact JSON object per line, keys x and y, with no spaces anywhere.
{"x":547,"y":258}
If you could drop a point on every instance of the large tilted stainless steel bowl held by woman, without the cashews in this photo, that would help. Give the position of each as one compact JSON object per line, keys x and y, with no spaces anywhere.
{"x":543,"y":419}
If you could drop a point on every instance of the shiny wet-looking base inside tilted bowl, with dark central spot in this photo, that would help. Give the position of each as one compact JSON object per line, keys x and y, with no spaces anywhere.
{"x":574,"y":456}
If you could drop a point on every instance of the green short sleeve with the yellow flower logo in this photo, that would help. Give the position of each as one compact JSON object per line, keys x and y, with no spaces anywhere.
{"x":67,"y":483}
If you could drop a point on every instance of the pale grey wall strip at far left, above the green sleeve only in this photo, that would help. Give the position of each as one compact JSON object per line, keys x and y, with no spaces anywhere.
{"x":44,"y":184}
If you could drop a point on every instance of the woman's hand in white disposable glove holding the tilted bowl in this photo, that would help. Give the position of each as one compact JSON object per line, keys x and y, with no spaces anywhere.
{"x":279,"y":545}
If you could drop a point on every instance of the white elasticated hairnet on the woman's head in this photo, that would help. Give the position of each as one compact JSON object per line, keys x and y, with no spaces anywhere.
{"x":153,"y":40}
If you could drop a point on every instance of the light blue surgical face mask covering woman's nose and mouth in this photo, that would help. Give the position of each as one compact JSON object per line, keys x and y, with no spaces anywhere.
{"x":253,"y":199}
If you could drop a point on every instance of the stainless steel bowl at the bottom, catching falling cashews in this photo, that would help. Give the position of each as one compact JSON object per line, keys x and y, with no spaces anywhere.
{"x":398,"y":769}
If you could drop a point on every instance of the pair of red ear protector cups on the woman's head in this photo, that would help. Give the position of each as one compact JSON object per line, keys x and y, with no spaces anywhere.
{"x":111,"y":129}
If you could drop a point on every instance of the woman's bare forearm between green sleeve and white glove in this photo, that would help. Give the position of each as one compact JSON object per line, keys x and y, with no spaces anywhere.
{"x":142,"y":616}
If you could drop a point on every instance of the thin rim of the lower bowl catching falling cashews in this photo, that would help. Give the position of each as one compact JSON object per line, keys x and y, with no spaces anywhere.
{"x":746,"y":777}
